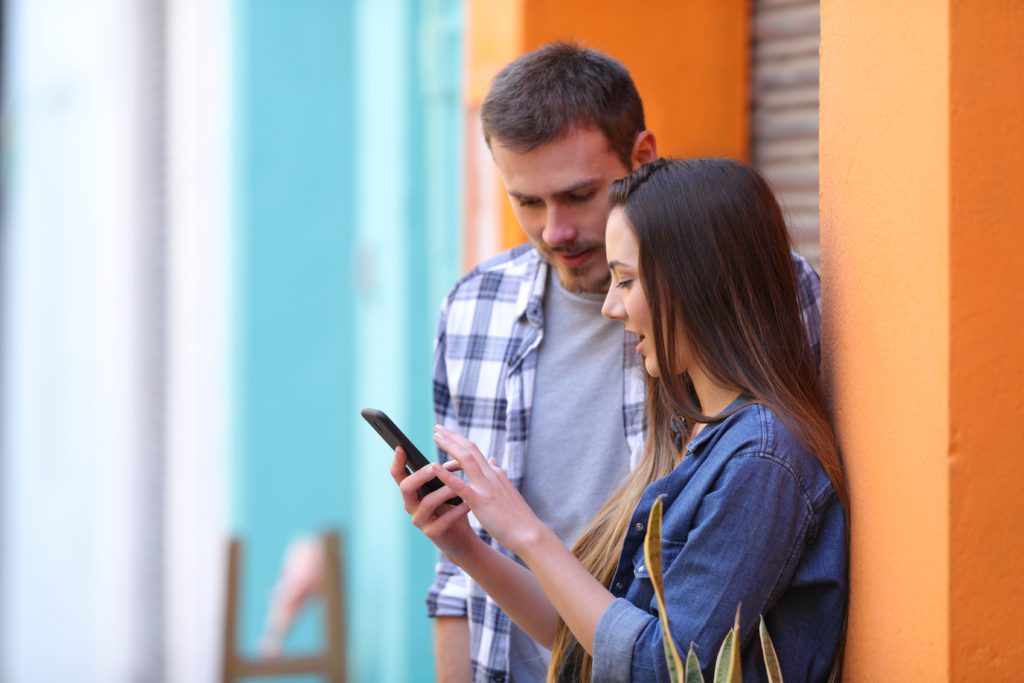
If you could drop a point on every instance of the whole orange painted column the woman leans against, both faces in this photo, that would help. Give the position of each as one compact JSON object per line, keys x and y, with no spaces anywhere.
{"x":921,"y":151}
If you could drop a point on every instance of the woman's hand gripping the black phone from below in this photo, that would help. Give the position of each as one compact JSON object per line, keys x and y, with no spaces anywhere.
{"x":446,"y":526}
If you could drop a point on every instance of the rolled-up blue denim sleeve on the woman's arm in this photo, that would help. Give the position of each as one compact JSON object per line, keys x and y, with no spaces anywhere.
{"x":743,"y":549}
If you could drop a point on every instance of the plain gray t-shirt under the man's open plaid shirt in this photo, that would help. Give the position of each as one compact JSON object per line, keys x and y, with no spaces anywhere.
{"x":577,"y":453}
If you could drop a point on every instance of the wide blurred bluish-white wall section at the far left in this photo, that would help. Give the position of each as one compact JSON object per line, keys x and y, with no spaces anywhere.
{"x":73,"y":451}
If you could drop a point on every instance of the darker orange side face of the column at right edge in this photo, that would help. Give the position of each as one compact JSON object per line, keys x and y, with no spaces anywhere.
{"x":987,"y":383}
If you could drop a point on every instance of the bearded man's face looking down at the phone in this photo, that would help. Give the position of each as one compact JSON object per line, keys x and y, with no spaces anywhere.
{"x":560,"y":194}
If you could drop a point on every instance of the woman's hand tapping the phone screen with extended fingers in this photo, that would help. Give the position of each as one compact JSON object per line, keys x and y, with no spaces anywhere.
{"x":497,"y":504}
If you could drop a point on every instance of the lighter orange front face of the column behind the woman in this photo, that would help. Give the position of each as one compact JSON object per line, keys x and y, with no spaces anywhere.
{"x":885,"y":258}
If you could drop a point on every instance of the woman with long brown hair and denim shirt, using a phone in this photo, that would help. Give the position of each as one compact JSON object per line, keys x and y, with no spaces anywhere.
{"x":755,"y":497}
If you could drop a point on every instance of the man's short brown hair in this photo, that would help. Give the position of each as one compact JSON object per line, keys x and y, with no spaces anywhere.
{"x":545,"y":95}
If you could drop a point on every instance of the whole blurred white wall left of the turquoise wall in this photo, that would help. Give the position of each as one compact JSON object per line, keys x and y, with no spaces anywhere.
{"x":112,"y":488}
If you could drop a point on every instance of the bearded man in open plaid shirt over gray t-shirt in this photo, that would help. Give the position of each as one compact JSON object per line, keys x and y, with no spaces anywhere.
{"x":525,"y":364}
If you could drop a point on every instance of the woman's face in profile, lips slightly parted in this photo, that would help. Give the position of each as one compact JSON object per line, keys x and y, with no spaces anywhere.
{"x":626,"y":301}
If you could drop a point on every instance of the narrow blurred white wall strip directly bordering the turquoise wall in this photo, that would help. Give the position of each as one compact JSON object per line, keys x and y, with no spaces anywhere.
{"x":199,"y":324}
